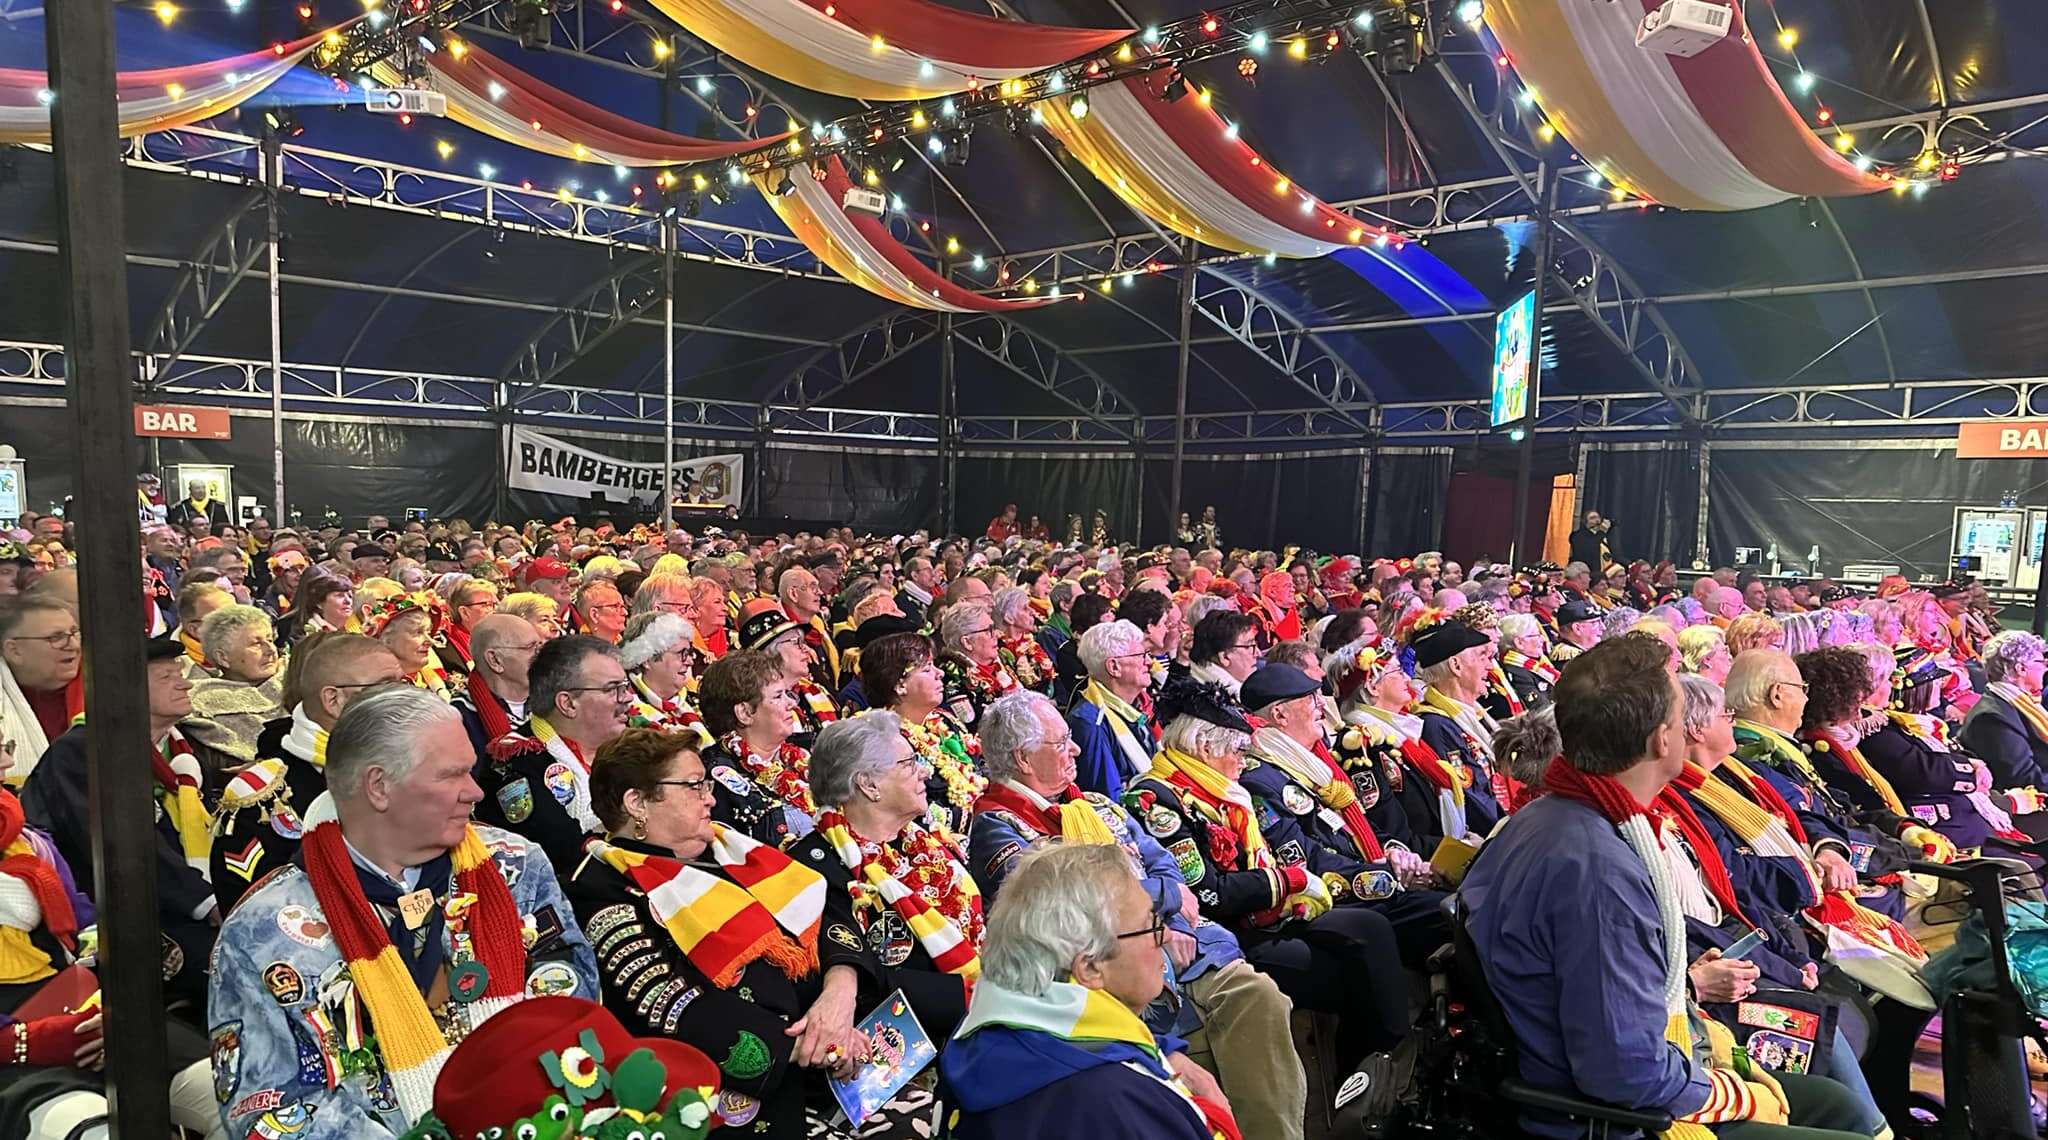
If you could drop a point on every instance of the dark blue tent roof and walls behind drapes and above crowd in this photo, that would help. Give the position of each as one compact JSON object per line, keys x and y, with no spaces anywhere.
{"x":1787,"y":376}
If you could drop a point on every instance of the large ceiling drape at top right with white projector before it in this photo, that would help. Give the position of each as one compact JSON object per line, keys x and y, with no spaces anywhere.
{"x":1713,"y":132}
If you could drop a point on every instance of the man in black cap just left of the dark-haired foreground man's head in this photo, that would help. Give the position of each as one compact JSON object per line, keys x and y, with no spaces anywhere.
{"x":1453,"y":662}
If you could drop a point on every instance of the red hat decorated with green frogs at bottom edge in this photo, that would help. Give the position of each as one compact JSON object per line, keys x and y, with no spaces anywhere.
{"x":568,"y":1067}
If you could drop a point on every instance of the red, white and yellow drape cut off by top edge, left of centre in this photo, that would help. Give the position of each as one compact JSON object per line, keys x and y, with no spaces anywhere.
{"x":882,"y":48}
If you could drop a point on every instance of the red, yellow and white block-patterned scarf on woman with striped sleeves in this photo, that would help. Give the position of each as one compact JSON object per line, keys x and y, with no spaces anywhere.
{"x":765,"y":906}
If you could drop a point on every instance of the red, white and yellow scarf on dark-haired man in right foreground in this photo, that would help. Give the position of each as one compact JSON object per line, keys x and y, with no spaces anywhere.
{"x":1730,"y":1098}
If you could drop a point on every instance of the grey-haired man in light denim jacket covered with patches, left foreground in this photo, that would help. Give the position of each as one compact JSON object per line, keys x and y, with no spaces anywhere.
{"x":398,"y":910}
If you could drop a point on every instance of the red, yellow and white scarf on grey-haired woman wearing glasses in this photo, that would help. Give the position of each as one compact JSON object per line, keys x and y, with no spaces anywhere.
{"x":947,"y":922}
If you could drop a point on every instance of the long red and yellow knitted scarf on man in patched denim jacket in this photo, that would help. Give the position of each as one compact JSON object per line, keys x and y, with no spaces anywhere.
{"x":409,"y":1039}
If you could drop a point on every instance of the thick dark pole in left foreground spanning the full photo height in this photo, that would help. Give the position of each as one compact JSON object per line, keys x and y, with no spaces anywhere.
{"x":101,"y":388}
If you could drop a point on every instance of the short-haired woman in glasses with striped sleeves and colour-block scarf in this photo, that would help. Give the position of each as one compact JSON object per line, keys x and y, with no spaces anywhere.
{"x":773,"y":998}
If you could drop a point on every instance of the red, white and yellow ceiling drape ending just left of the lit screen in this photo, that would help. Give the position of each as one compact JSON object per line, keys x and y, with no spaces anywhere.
{"x":1183,"y":167}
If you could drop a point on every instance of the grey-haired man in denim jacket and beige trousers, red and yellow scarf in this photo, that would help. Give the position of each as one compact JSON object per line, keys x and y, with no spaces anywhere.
{"x":1029,"y":756}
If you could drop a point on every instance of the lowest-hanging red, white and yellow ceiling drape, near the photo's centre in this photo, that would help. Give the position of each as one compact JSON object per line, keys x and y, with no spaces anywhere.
{"x":861,"y":249}
